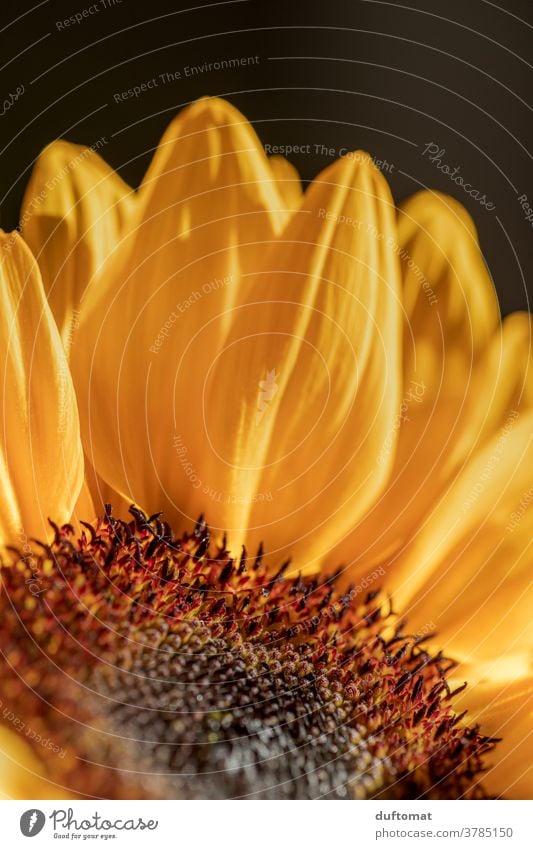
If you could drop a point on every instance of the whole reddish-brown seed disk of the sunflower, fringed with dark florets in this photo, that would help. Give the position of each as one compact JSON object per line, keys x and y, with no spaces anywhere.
{"x":168,"y":667}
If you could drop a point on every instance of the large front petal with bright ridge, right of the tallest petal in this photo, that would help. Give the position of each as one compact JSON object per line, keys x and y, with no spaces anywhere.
{"x":299,"y":402}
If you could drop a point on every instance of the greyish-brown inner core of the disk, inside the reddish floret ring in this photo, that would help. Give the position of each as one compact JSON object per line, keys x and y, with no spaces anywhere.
{"x":213,"y":723}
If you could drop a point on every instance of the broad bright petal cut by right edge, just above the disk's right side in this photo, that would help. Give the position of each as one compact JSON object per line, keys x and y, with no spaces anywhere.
{"x":469,"y":567}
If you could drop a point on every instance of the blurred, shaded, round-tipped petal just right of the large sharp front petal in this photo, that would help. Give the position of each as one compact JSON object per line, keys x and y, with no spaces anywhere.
{"x":450,"y":320}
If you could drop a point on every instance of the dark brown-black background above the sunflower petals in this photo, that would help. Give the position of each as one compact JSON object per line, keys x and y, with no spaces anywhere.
{"x":385,"y":76}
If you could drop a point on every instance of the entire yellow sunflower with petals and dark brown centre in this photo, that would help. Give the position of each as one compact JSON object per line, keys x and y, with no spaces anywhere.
{"x":325,"y":378}
